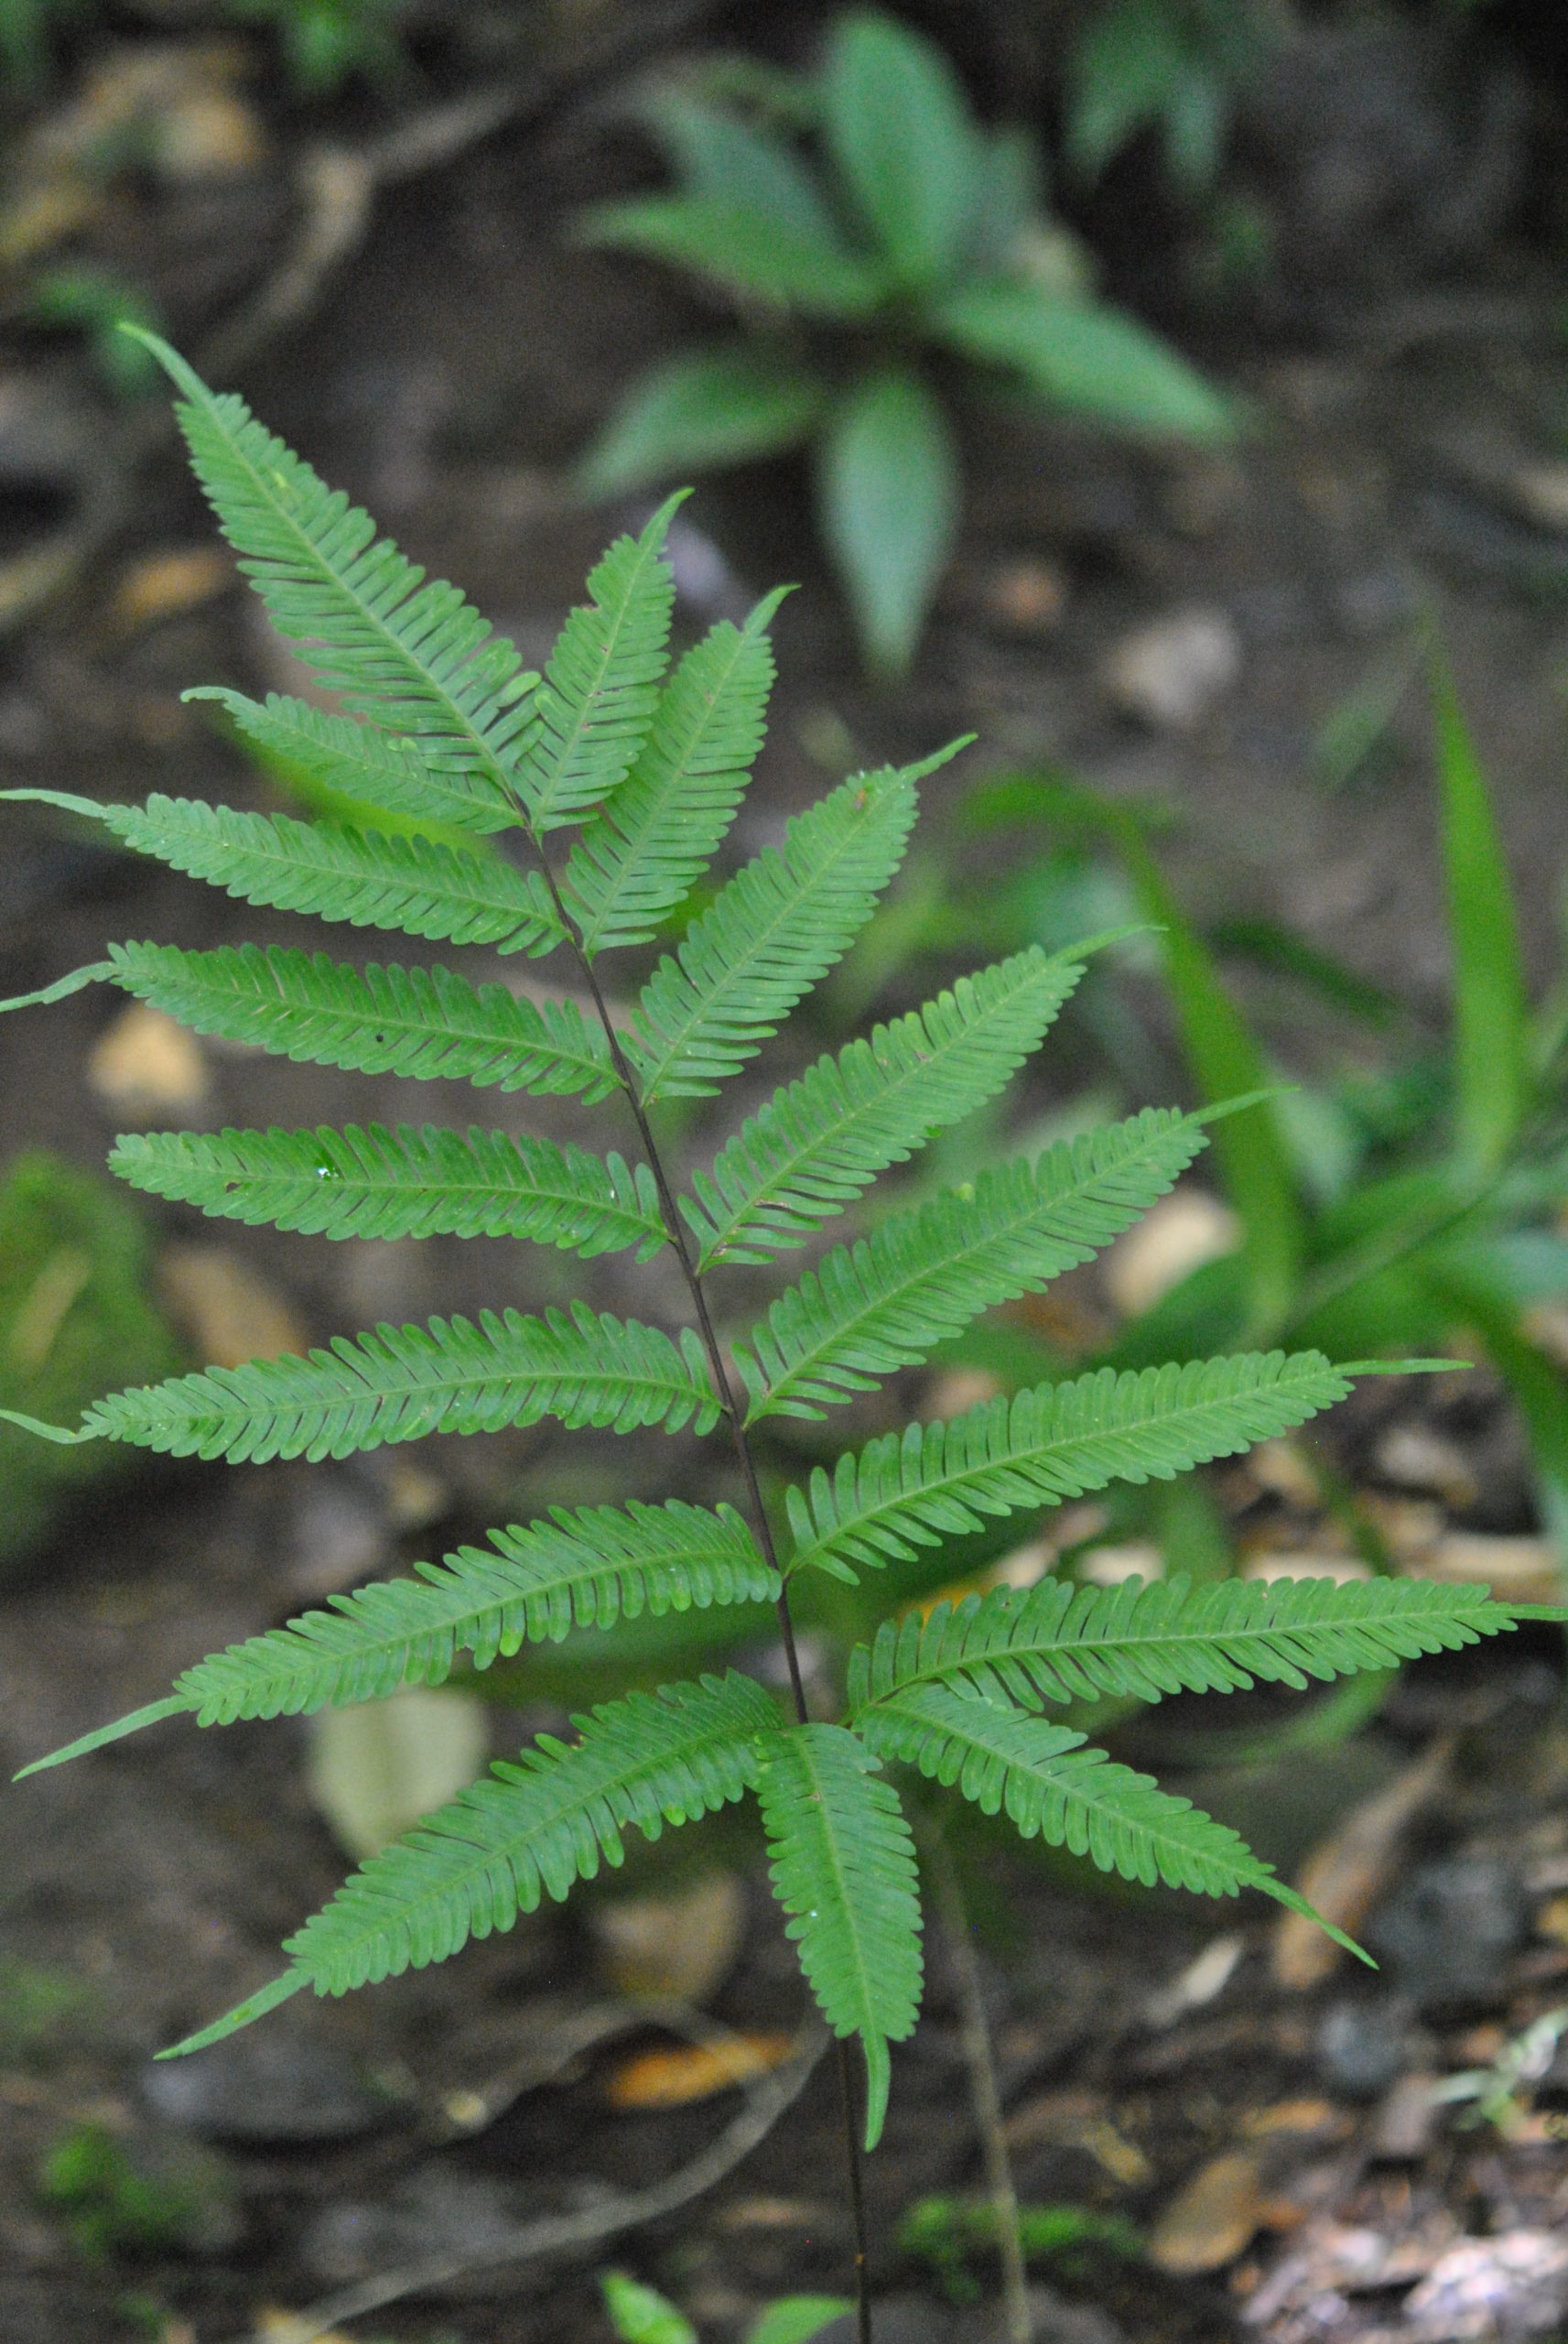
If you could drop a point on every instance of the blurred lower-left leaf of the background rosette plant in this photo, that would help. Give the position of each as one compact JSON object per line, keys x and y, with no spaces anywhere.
{"x":700,"y":411}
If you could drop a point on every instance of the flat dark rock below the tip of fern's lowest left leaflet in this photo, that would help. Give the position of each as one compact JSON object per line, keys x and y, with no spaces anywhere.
{"x":264,"y":2087}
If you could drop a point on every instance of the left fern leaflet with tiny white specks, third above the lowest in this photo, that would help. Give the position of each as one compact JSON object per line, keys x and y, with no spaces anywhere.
{"x":404,"y":1185}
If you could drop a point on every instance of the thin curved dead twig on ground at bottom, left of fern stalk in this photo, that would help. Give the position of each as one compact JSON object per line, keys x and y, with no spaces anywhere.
{"x":554,"y":2235}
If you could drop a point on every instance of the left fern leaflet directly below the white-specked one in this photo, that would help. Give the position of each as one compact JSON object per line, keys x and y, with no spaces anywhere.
{"x":407,"y":1382}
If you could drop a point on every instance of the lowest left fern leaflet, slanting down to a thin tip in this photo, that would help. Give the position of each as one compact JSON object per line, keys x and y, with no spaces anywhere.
{"x":529,"y":1832}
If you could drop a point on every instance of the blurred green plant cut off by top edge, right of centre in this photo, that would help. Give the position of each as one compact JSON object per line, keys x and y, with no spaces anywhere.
{"x":1166,"y":67}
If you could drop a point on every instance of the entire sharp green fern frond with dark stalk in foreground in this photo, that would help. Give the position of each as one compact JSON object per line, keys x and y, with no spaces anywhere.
{"x":648,"y":768}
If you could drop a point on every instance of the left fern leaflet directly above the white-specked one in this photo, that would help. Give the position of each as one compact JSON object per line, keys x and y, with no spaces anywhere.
{"x":376,"y":1021}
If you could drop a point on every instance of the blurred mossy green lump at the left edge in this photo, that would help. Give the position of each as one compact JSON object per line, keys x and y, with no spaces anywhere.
{"x":74,"y":1318}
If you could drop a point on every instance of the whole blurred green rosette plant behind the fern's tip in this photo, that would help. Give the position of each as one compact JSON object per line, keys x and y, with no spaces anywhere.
{"x":880,"y":247}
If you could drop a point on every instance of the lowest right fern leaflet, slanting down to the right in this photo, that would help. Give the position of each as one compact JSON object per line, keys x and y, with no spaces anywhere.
{"x":1054,"y":1787}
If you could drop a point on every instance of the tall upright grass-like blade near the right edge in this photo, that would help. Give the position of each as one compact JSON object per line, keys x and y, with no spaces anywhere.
{"x":1489,"y":997}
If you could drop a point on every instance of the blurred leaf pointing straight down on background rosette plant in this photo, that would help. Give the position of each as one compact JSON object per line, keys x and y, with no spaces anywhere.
{"x":889,"y":493}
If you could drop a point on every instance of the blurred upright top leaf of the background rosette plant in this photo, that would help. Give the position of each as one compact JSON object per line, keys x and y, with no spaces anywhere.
{"x":904,"y":139}
